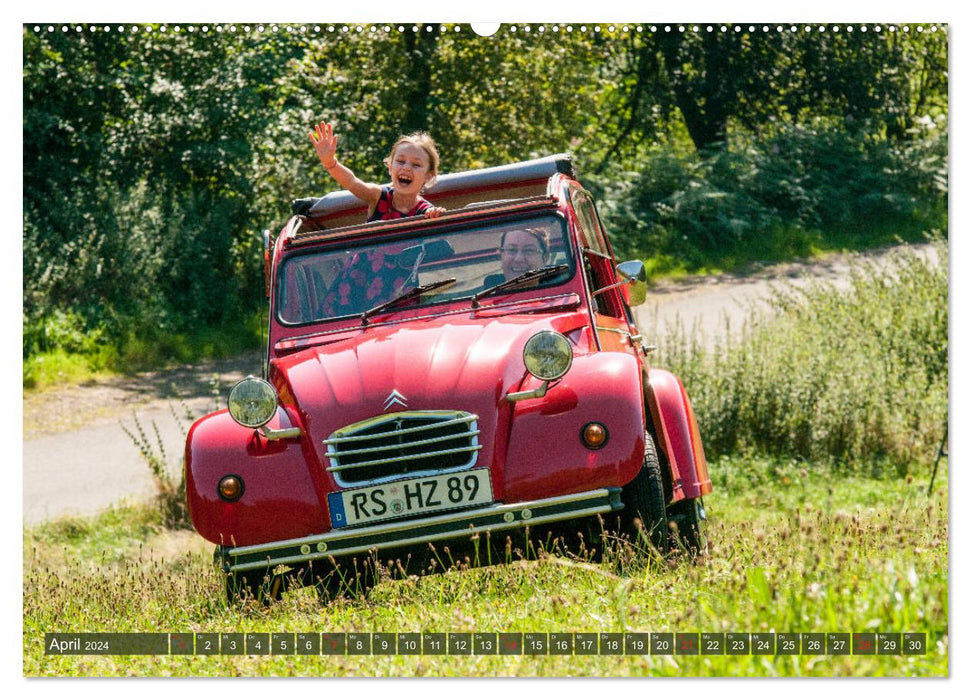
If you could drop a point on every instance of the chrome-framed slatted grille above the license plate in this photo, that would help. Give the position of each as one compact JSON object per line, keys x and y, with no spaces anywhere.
{"x":411,"y":443}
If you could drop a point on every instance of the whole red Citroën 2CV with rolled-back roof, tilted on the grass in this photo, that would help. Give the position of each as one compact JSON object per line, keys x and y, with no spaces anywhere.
{"x":444,"y":380}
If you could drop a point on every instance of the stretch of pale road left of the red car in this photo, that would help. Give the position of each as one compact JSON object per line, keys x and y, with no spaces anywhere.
{"x":78,"y":459}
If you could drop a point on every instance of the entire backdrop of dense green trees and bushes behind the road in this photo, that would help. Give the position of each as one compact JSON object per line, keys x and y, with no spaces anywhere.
{"x":153,"y":159}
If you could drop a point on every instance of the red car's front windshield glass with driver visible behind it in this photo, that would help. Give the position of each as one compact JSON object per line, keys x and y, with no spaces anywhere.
{"x":338,"y":281}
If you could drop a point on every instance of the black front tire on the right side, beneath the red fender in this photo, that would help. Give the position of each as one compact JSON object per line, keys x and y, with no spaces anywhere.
{"x":644,"y":518}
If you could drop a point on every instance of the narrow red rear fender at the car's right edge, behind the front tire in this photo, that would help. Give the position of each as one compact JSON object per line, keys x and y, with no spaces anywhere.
{"x":676,"y":430}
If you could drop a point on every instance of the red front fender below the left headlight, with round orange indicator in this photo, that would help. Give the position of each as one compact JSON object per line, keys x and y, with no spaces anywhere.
{"x":279,"y":500}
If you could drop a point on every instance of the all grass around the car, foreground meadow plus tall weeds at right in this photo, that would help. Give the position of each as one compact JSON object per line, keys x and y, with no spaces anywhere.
{"x":821,"y":446}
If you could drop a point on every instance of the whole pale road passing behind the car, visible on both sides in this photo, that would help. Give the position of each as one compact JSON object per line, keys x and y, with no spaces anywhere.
{"x":79,"y":460}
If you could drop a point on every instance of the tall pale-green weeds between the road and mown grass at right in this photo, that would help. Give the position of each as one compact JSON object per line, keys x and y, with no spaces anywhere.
{"x":851,"y":377}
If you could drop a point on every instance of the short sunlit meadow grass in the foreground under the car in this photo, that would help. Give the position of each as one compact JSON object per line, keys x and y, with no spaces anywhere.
{"x":794,"y":549}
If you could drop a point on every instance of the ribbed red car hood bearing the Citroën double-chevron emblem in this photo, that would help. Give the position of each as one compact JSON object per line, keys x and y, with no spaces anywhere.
{"x":448,"y":363}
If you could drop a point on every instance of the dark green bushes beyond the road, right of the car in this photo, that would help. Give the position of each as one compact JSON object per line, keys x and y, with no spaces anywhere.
{"x":842,"y":188}
